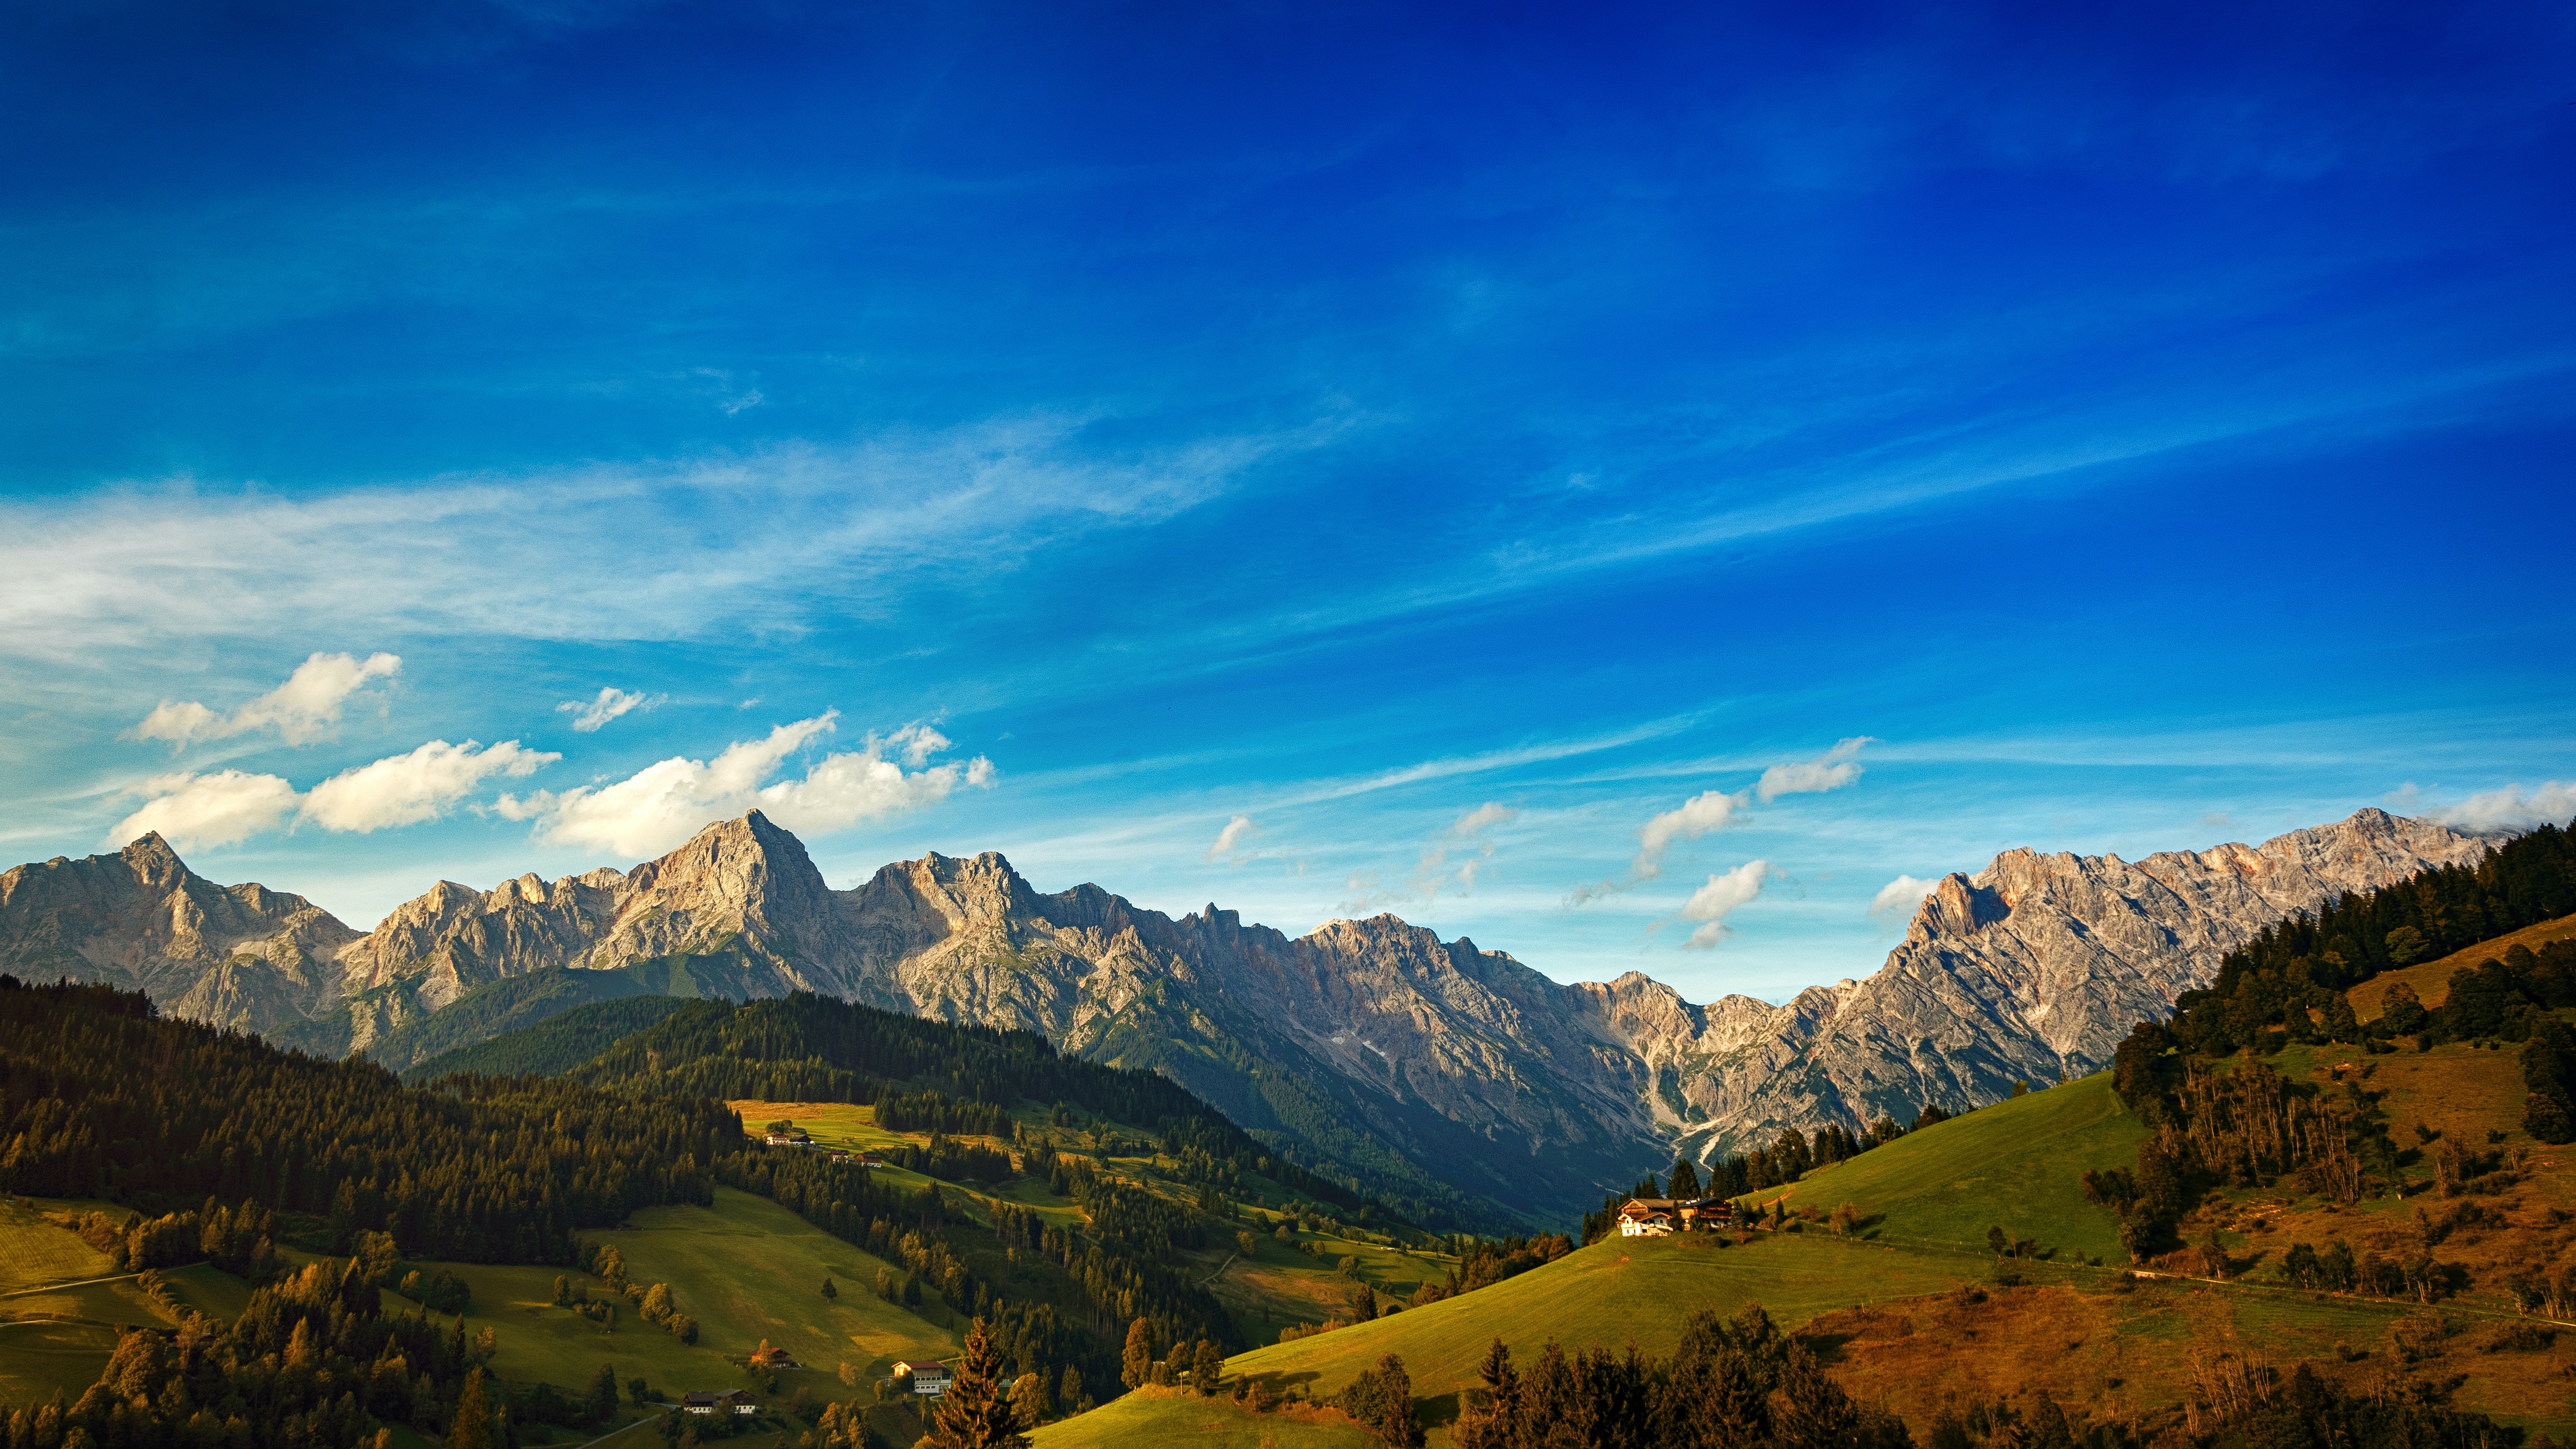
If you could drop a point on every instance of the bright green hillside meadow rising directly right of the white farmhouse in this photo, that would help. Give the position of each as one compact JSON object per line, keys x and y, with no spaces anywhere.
{"x":2016,"y":1167}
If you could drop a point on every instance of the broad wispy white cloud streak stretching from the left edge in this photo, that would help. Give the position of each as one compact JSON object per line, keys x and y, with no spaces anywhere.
{"x":666,"y":550}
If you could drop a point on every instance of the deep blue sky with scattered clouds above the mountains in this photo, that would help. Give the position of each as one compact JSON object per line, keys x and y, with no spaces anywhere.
{"x":1645,"y":489}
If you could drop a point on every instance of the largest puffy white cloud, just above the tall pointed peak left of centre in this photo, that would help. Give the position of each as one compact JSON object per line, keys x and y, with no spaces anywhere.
{"x":666,"y":803}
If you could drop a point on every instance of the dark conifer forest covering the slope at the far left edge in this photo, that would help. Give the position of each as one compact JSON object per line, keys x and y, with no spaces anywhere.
{"x":104,"y":1100}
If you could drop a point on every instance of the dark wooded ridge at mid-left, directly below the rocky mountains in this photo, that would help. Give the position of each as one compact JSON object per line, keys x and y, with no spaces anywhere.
{"x":805,"y":1048}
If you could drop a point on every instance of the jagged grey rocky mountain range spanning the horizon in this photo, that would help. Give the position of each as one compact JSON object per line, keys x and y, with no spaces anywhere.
{"x":1436,"y":1074}
